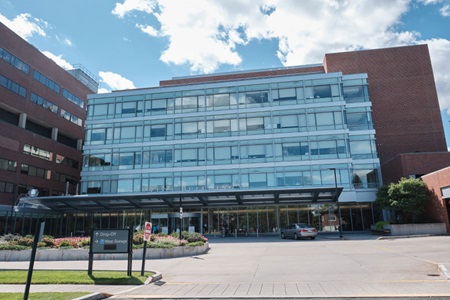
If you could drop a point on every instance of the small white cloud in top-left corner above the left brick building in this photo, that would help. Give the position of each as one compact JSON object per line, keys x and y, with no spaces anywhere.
{"x":25,"y":25}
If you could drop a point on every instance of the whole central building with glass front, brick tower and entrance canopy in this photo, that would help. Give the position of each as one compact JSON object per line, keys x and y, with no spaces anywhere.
{"x":245,"y":153}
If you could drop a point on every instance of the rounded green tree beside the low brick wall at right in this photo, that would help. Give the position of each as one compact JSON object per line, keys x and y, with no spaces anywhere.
{"x":406,"y":198}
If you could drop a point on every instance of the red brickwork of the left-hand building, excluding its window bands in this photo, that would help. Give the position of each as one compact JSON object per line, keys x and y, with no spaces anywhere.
{"x":16,"y":137}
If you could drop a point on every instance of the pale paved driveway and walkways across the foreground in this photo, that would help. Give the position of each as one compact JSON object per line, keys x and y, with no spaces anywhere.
{"x":357,"y":266}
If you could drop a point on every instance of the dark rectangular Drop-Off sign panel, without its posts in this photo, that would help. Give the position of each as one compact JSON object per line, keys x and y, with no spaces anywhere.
{"x":110,"y":241}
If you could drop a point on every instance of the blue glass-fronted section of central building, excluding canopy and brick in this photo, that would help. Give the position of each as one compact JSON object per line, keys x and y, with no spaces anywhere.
{"x":301,"y":131}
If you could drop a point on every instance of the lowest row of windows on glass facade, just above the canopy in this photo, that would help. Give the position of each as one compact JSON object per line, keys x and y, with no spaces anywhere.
{"x":359,"y":178}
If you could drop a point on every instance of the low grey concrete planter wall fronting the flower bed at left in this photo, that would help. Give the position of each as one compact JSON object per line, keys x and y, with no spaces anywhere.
{"x":83,"y":254}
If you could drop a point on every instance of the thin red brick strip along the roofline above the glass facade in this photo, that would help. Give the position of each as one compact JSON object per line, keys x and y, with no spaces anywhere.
{"x":243,"y":75}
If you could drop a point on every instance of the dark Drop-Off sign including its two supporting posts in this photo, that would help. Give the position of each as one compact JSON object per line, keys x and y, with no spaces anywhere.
{"x":111,"y":241}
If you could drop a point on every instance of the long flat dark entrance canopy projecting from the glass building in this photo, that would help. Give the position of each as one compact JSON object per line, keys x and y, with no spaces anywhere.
{"x":186,"y":199}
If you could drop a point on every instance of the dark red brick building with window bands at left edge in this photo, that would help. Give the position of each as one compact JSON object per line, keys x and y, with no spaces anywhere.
{"x":42,"y":113}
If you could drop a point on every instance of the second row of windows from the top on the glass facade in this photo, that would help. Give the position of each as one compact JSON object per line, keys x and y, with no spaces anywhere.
{"x":190,"y":128}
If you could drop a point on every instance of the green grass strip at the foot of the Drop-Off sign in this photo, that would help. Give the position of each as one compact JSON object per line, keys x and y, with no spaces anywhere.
{"x":73,"y":277}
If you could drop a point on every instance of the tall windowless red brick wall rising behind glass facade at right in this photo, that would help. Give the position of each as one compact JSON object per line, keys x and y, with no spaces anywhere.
{"x":405,"y":106}
